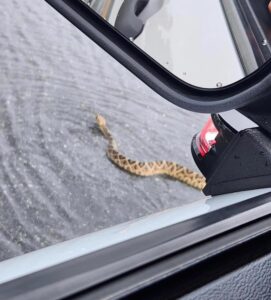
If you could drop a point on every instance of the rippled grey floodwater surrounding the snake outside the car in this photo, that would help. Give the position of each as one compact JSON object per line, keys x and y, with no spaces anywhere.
{"x":55,"y":180}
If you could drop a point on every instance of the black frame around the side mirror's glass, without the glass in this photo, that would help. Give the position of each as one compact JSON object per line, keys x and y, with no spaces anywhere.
{"x":251,"y":95}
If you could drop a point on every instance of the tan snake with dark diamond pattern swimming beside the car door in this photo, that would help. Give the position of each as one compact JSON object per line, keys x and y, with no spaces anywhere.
{"x":140,"y":168}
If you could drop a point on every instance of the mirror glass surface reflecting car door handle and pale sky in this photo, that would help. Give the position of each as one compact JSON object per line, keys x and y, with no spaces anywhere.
{"x":209,"y":44}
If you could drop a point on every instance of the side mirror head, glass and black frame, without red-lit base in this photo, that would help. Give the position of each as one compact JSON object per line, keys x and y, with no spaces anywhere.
{"x":202,"y":57}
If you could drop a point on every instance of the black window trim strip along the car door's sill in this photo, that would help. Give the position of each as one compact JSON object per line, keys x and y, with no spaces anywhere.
{"x":208,"y":239}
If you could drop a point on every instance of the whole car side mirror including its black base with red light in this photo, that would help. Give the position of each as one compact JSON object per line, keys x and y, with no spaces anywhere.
{"x":207,"y":57}
